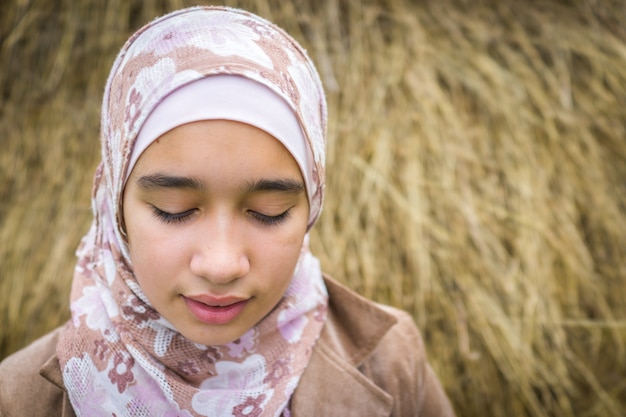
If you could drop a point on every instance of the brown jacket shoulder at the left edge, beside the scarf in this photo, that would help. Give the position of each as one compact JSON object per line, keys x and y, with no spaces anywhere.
{"x":23,"y":390}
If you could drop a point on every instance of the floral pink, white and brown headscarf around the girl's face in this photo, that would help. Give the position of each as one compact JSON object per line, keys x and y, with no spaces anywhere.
{"x":117,"y":354}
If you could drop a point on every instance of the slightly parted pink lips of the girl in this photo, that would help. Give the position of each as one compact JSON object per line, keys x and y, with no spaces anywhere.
{"x":215,"y":310}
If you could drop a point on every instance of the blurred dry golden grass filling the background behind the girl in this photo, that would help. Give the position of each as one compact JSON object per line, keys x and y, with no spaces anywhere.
{"x":477,"y":178}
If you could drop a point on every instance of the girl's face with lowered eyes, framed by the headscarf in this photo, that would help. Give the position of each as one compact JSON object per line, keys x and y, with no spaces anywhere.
{"x":216,"y":213}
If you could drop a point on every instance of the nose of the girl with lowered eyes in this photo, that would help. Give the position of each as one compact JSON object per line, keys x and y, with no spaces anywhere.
{"x":220,"y":256}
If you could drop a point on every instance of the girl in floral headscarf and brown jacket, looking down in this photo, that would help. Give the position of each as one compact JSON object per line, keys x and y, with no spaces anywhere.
{"x":195,"y":293}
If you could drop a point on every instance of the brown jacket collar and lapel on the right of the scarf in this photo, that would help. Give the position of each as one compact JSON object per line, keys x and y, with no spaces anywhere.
{"x":332,"y":384}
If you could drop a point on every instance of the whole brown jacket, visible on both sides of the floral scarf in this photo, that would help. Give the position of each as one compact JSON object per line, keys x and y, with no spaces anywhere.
{"x":369,"y":361}
